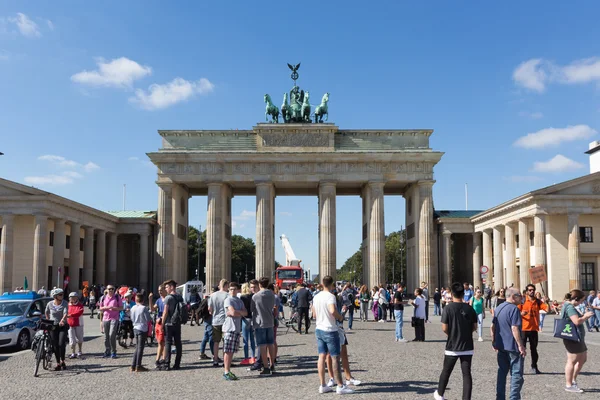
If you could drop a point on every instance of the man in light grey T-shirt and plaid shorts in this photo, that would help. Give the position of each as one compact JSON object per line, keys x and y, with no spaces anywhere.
{"x":232,"y":328}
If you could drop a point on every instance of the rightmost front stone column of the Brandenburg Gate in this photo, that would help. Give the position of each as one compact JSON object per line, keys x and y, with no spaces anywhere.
{"x":427,"y":271}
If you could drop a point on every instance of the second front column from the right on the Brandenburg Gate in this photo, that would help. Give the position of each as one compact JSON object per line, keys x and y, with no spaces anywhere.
{"x":376,"y":235}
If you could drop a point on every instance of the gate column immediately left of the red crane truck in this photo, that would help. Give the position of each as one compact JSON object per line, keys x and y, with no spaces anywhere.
{"x":265,"y":249}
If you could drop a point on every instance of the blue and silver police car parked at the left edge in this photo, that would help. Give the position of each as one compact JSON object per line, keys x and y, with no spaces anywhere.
{"x":19,"y":313}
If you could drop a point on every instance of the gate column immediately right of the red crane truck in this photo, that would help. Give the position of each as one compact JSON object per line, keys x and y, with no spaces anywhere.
{"x":327,"y":225}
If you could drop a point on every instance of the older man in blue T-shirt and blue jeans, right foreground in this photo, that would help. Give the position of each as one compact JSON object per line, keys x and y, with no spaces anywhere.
{"x":506,"y":340}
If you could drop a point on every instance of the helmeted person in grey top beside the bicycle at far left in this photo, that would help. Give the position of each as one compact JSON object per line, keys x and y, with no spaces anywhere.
{"x":57,"y":310}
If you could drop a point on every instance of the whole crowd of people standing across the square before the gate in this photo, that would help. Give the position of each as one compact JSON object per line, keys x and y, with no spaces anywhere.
{"x":252,"y":312}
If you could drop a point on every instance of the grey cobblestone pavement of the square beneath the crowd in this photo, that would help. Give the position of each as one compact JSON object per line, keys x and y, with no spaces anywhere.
{"x":387,"y":368}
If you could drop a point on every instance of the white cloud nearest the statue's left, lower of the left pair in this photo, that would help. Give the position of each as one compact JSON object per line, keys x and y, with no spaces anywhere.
{"x":178,"y":90}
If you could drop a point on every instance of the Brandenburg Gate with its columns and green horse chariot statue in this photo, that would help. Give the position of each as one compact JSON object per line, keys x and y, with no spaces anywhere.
{"x":298,"y":157}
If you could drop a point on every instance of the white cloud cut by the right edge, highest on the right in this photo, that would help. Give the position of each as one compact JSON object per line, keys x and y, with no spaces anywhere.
{"x":536,"y":73}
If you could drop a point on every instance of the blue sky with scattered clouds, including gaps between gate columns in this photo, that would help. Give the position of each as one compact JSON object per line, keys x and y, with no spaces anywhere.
{"x":511,"y":90}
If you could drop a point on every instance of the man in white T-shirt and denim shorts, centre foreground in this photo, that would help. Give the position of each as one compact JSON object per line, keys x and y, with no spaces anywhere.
{"x":324,"y":309}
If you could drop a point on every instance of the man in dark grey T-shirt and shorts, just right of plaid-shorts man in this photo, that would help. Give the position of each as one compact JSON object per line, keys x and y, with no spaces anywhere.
{"x":263,"y":321}
